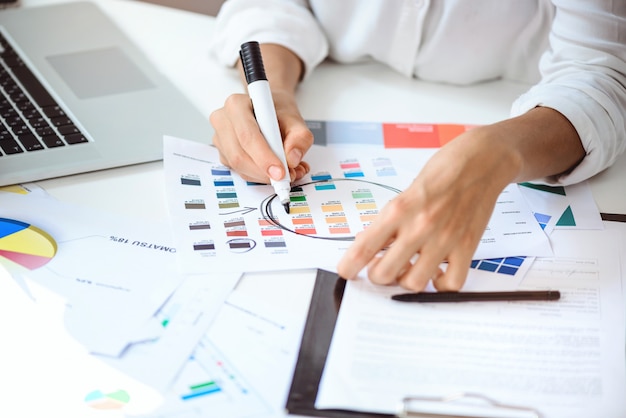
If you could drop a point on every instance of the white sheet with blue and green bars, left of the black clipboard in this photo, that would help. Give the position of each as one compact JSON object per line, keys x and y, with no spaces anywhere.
{"x":243,"y":364}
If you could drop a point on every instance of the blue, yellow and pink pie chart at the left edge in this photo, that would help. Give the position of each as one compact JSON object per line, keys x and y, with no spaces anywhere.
{"x":24,"y":244}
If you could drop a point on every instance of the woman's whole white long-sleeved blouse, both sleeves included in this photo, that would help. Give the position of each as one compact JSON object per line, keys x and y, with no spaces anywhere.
{"x":573,"y":51}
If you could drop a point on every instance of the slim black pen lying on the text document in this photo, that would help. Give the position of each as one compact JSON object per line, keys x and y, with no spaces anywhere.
{"x":426,"y":297}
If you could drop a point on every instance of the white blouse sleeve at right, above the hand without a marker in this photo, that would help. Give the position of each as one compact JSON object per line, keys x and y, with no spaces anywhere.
{"x":584,"y":78}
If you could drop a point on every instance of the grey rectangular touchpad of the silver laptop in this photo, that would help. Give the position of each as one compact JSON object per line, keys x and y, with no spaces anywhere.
{"x":99,"y":72}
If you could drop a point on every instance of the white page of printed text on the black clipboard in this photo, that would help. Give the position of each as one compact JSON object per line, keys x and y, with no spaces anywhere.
{"x":563,"y":358}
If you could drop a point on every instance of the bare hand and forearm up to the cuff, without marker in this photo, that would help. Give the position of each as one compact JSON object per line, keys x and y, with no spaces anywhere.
{"x":443,"y":214}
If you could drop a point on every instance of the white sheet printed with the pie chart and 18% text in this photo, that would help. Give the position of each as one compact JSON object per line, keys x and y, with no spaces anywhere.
{"x":114,"y":273}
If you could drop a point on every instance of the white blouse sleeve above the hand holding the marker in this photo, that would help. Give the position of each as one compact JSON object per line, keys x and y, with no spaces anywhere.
{"x":289,"y":23}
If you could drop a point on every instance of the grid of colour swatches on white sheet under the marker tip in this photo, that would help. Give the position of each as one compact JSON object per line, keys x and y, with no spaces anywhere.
{"x":222,"y":220}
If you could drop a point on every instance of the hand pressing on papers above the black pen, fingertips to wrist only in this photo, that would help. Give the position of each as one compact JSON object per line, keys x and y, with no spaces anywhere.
{"x":441,"y":216}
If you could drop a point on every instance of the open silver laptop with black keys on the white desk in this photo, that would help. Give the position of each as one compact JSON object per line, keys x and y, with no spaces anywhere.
{"x":77,"y":96}
